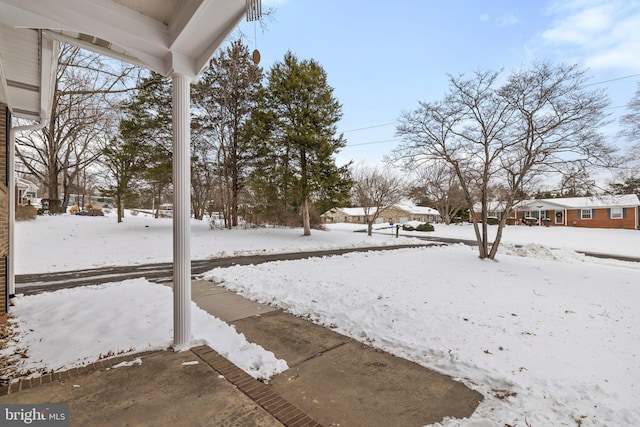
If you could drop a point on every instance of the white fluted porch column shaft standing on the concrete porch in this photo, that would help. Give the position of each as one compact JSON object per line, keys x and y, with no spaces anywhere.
{"x":181,"y":212}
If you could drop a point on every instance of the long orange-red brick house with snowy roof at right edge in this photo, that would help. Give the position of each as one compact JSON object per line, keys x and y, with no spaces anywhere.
{"x":607,"y":211}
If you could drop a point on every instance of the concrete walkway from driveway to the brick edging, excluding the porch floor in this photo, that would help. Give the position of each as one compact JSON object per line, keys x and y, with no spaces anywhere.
{"x":334,"y":379}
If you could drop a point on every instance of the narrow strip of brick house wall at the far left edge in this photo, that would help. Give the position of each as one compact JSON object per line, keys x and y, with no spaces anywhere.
{"x":5,"y":123}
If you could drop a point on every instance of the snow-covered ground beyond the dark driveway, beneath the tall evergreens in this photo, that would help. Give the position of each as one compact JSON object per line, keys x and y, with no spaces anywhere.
{"x":69,"y":242}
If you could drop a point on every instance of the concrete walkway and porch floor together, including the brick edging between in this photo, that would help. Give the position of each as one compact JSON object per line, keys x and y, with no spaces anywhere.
{"x":332,"y":380}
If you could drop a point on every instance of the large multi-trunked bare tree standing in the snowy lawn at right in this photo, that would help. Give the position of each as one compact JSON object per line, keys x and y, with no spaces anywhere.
{"x":537,"y":122}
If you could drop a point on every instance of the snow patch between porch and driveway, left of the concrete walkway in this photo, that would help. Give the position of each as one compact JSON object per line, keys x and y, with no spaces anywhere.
{"x":74,"y":327}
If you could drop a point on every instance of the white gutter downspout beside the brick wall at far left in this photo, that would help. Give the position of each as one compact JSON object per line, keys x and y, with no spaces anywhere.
{"x":11,"y":279}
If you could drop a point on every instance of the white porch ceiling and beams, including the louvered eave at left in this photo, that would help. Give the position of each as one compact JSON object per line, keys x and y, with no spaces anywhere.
{"x":166,"y":36}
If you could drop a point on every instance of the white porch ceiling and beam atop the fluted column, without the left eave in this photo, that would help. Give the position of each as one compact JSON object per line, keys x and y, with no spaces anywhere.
{"x":167,"y":36}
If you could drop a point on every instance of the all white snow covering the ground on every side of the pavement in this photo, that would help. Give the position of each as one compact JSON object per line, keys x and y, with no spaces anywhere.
{"x":547,"y":335}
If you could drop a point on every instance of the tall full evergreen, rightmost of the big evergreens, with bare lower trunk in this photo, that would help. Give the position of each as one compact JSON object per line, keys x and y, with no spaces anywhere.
{"x":294,"y":135}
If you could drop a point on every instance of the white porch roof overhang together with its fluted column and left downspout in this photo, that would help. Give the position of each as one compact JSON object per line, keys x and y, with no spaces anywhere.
{"x":172,"y":37}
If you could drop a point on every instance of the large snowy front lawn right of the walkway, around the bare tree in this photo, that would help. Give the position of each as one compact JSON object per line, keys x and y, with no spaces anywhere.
{"x":546,"y":342}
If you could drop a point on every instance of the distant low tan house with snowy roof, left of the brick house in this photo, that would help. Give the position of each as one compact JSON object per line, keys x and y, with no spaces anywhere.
{"x":399,"y":214}
